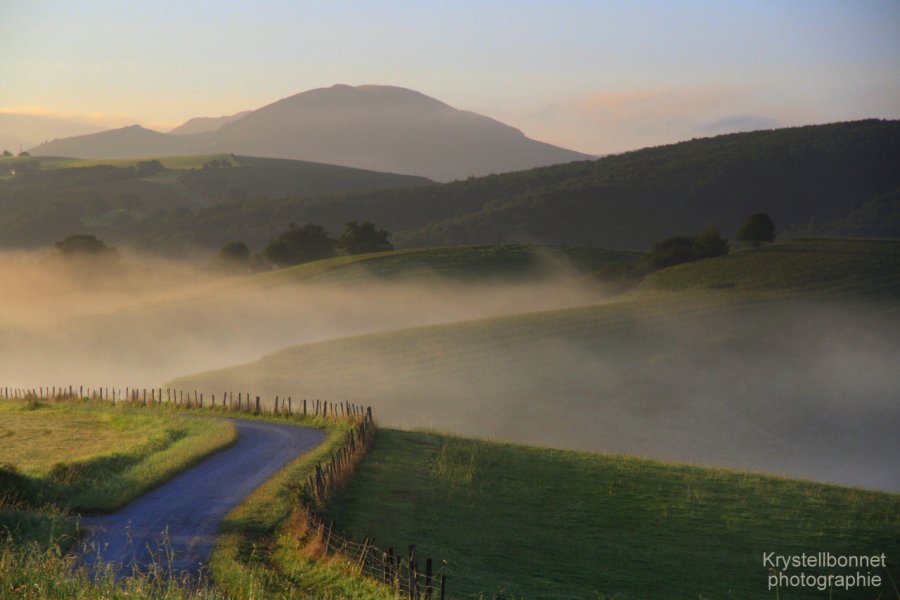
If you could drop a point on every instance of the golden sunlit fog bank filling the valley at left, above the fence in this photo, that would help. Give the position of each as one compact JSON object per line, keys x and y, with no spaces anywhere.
{"x":142,"y":320}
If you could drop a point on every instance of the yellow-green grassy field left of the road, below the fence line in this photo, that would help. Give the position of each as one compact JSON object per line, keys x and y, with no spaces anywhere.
{"x":92,"y":457}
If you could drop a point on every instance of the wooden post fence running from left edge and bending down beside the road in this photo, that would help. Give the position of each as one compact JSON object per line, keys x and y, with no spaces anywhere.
{"x":401,"y":572}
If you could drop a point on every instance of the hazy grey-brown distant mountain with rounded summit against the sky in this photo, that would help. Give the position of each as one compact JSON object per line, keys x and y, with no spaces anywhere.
{"x":381,"y":128}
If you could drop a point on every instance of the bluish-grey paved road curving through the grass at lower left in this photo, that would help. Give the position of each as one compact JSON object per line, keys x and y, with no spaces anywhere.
{"x":192,"y":504}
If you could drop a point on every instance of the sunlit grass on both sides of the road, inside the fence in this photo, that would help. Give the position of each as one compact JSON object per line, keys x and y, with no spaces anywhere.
{"x":257,"y":555}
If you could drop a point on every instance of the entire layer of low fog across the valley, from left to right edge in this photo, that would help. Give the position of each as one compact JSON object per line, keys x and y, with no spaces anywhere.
{"x":808,"y":391}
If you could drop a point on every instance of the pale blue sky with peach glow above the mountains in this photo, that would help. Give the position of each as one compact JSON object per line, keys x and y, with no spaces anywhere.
{"x":595,"y":76}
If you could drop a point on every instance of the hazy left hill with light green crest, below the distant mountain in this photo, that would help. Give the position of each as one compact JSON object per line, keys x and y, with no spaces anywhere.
{"x":123,"y":201}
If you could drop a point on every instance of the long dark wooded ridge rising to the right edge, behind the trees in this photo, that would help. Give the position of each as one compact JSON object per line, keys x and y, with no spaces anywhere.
{"x":819,"y":173}
